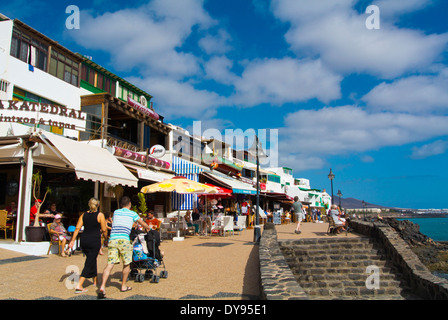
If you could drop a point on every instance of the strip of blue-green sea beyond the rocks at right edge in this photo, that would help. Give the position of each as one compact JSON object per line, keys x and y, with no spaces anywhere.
{"x":434,"y":228}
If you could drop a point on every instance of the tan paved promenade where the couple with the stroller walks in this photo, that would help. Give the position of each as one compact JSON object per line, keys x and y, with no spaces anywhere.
{"x":213,"y":267}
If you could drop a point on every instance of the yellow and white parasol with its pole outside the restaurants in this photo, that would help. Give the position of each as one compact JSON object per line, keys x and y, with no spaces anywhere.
{"x":180,"y":185}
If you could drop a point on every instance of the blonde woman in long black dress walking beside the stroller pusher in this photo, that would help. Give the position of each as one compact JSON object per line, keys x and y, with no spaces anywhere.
{"x":94,"y":224}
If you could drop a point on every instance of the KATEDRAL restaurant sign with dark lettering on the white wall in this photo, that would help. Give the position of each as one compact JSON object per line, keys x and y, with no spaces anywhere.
{"x":27,"y":112}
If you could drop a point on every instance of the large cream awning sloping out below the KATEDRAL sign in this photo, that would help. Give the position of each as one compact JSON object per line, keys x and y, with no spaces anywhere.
{"x":90,"y":162}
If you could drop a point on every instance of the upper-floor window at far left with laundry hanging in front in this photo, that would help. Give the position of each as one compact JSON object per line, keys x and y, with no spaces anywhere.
{"x":29,"y":50}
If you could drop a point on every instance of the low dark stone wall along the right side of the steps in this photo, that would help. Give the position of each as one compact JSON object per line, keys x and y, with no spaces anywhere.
{"x":418,"y":277}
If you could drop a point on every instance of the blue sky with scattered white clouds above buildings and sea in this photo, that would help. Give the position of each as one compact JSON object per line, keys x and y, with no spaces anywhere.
{"x":370,"y":104}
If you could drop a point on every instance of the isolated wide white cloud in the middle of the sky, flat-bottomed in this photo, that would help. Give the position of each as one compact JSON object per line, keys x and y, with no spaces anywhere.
{"x":279,"y":81}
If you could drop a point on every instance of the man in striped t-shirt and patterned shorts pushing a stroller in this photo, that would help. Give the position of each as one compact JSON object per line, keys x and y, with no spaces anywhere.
{"x":120,"y":246}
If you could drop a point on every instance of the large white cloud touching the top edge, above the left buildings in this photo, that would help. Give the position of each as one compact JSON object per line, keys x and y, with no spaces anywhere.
{"x":147,"y":37}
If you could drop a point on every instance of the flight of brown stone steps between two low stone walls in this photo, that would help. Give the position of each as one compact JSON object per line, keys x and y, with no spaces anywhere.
{"x":336,"y":268}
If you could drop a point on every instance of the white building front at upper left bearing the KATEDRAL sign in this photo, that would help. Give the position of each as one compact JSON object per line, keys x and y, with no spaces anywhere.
{"x":37,"y":70}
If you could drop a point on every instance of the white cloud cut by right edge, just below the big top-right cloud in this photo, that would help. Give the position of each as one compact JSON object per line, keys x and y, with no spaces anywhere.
{"x":416,"y":94}
